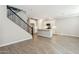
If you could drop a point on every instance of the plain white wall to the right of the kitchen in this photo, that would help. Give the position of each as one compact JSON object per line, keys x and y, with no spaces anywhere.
{"x":68,"y":26}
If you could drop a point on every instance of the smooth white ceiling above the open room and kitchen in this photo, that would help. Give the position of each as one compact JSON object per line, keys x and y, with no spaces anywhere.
{"x":50,"y":10}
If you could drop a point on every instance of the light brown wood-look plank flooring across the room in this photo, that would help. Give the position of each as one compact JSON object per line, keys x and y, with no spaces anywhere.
{"x":40,"y":45}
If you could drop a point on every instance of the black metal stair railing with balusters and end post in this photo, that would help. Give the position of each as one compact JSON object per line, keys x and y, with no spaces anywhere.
{"x":13,"y":16}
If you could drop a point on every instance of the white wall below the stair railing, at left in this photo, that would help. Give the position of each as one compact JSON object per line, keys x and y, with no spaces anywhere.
{"x":9,"y":31}
